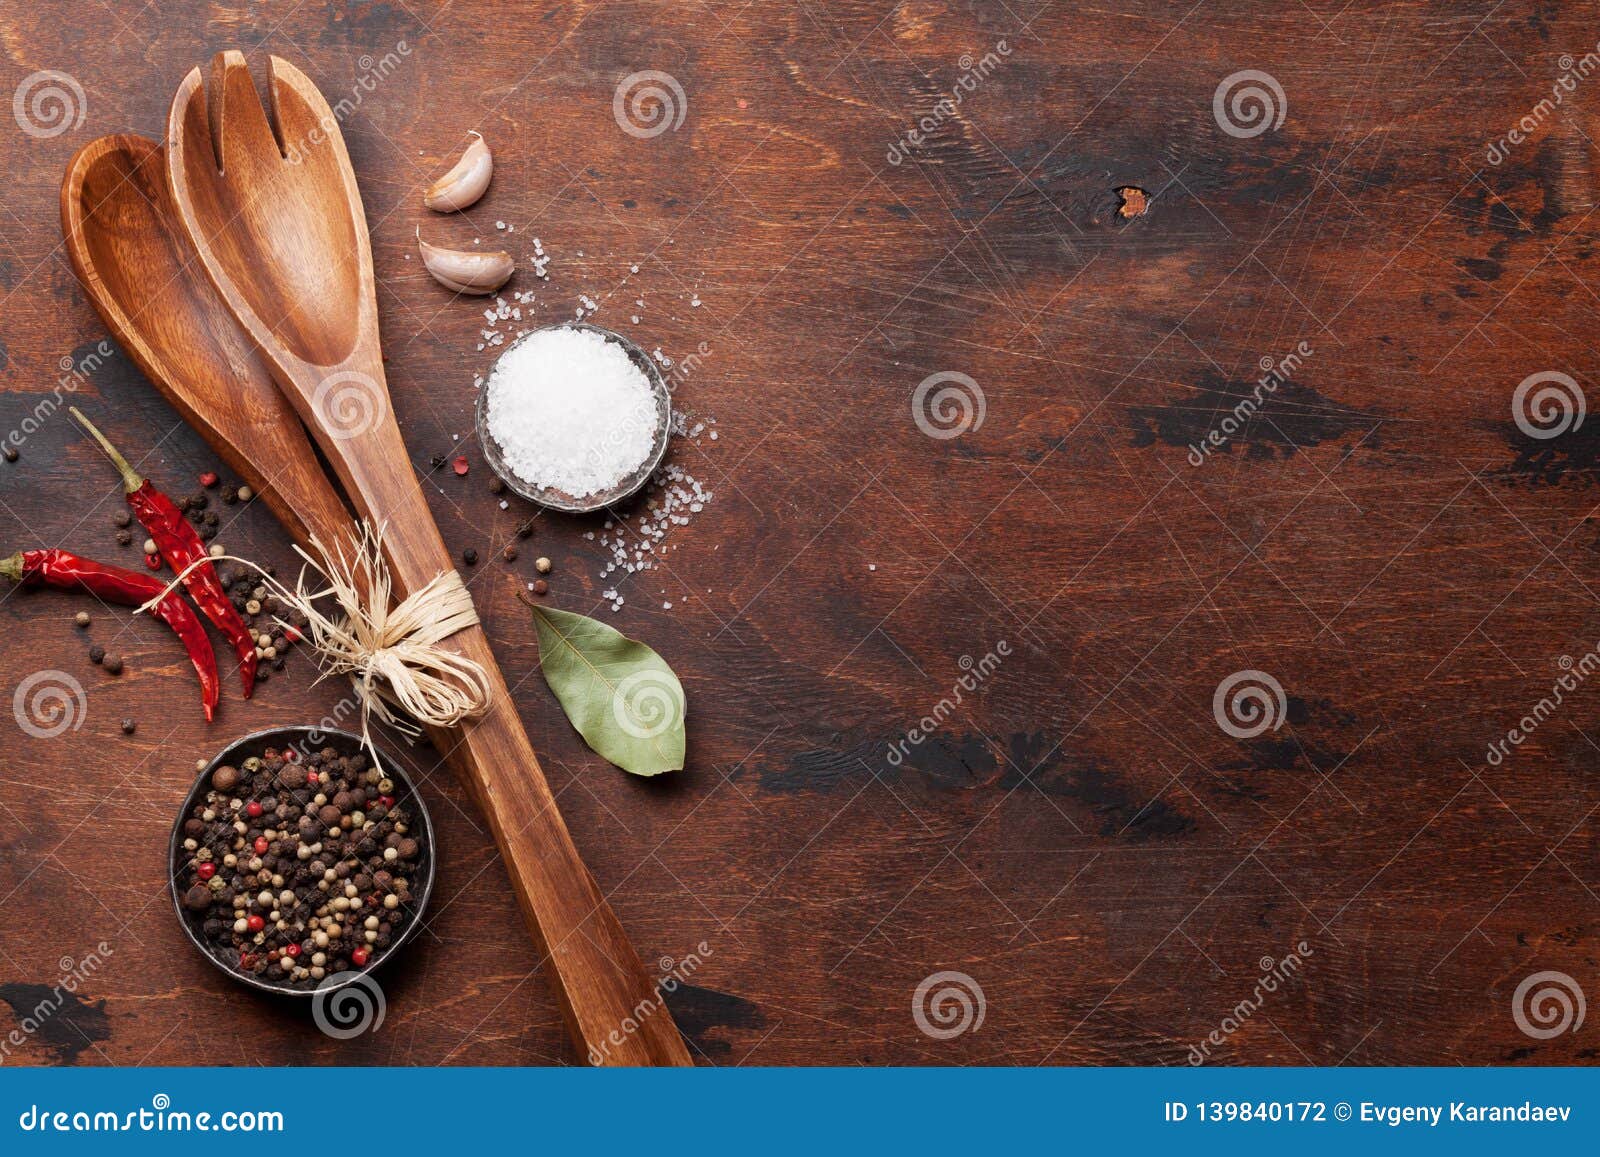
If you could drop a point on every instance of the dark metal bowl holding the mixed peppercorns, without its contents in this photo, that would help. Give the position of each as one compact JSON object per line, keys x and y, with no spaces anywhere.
{"x":346,"y":745}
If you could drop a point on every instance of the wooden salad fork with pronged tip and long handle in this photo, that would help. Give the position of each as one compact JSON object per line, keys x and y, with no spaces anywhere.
{"x":276,"y":217}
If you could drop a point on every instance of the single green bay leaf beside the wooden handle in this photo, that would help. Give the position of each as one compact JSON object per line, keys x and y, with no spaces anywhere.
{"x":620,"y":695}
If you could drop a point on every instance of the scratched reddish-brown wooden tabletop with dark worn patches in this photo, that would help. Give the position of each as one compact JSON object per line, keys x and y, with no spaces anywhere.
{"x":1106,"y":867}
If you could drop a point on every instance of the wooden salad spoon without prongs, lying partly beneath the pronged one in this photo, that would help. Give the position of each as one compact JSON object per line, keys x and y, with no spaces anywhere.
{"x":140,"y":271}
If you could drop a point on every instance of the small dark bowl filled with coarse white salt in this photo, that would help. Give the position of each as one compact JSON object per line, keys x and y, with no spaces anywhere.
{"x":575,"y":417}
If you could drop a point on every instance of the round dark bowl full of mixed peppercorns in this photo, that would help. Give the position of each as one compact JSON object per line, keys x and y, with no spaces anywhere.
{"x":297,"y":865}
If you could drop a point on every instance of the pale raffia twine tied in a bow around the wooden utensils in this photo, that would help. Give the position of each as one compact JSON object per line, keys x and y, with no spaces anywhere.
{"x":391,"y":655}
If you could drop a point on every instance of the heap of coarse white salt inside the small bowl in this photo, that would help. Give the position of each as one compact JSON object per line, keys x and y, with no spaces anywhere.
{"x":570,"y":412}
